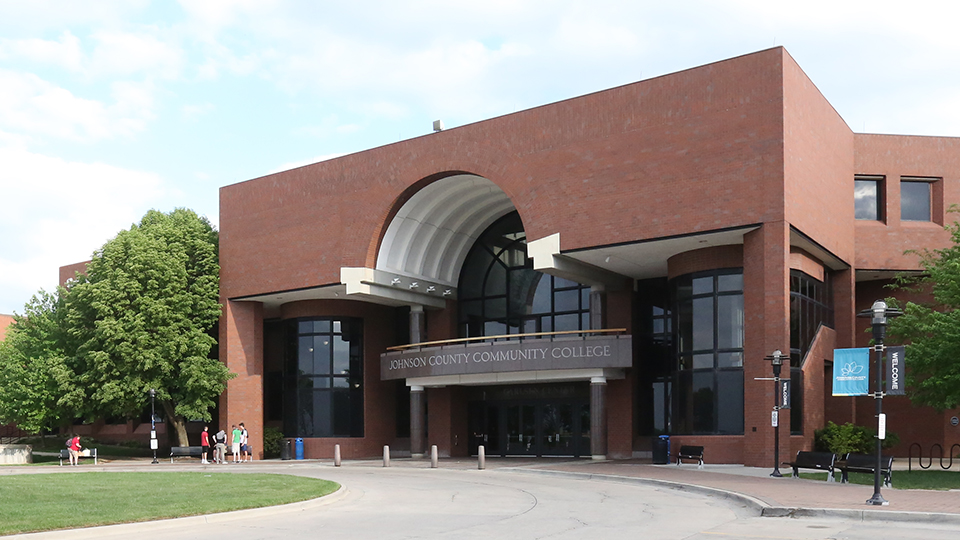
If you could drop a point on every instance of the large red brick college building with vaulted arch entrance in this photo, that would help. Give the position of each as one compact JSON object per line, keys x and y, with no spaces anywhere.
{"x":659,"y":240}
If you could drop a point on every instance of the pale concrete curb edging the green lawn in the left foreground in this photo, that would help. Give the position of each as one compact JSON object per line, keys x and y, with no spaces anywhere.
{"x":123,"y":529}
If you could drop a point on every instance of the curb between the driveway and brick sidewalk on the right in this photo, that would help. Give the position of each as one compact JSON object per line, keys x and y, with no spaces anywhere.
{"x":761,"y":508}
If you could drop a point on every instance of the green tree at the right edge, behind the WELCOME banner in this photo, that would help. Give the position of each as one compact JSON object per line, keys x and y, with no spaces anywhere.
{"x":932,"y":330}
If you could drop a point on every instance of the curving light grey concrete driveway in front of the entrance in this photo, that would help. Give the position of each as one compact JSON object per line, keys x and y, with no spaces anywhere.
{"x":415,"y":503}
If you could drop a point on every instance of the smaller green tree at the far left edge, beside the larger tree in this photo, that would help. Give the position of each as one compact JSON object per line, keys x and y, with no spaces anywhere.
{"x":38,"y":386}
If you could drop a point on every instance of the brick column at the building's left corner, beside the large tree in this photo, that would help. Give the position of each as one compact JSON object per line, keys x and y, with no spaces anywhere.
{"x":241,"y":349}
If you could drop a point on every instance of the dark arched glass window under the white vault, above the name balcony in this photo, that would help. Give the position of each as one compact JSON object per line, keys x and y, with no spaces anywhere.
{"x":500,"y":292}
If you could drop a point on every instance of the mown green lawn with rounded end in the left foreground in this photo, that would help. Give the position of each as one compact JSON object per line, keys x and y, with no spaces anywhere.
{"x":40,"y":502}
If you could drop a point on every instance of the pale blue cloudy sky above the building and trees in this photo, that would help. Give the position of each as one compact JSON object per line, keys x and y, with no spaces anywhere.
{"x":110,"y":108}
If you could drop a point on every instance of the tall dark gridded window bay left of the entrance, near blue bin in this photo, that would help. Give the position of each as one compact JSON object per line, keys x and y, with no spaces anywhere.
{"x":324,"y":379}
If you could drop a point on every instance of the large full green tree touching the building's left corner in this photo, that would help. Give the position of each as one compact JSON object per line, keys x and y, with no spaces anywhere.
{"x":142,"y":316}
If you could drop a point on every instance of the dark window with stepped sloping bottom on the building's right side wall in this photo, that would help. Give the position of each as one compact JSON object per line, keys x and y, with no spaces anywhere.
{"x":811,"y":305}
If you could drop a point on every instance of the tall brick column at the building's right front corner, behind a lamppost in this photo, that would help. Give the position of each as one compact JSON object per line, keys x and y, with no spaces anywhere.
{"x":766,"y":298}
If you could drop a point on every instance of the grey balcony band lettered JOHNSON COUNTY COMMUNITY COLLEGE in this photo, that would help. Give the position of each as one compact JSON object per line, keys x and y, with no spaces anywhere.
{"x":505,"y":356}
